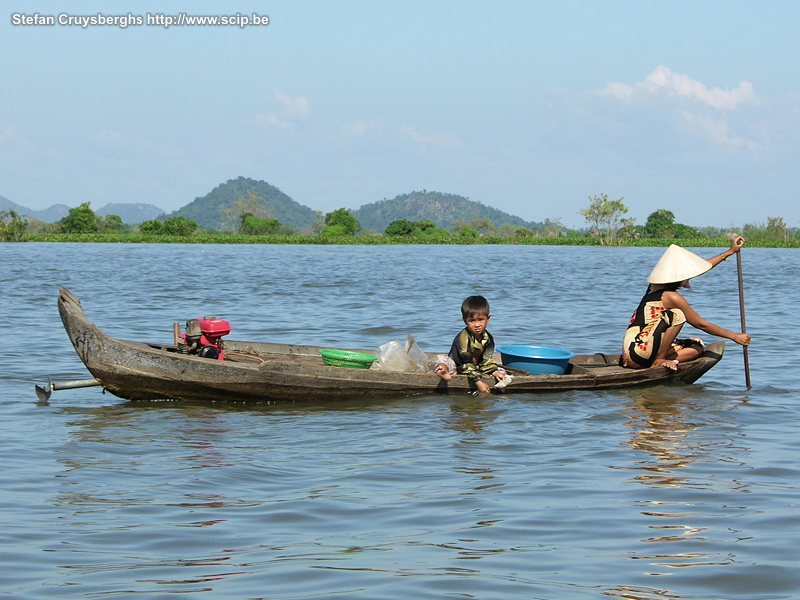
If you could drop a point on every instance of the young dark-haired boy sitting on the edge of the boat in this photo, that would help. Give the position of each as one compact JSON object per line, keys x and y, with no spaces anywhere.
{"x":473,"y":348}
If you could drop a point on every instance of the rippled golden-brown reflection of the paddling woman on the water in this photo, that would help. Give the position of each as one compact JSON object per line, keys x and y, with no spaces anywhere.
{"x":669,"y":429}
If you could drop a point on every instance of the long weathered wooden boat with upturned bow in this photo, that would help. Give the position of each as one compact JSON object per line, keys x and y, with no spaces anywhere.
{"x":266,"y":372}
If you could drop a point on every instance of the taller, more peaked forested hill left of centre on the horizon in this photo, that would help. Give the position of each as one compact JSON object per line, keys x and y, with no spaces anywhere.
{"x":205,"y":211}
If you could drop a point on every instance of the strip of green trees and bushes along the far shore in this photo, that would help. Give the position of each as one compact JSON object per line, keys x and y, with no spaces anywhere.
{"x":250,"y":216}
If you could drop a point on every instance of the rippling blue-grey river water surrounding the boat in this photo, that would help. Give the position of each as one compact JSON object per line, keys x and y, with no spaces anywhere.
{"x":677,"y":492}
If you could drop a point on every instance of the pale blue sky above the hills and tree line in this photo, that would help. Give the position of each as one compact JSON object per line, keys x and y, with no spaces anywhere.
{"x":530,"y":107}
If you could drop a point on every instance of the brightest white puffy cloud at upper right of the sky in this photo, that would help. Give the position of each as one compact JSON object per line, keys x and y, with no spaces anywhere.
{"x":665,"y":81}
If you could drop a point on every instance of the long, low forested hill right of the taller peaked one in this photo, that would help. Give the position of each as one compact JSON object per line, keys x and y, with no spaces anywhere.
{"x":442,"y":209}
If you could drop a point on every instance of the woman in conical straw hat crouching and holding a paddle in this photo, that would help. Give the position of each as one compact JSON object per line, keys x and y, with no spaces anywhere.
{"x":651,"y":339}
